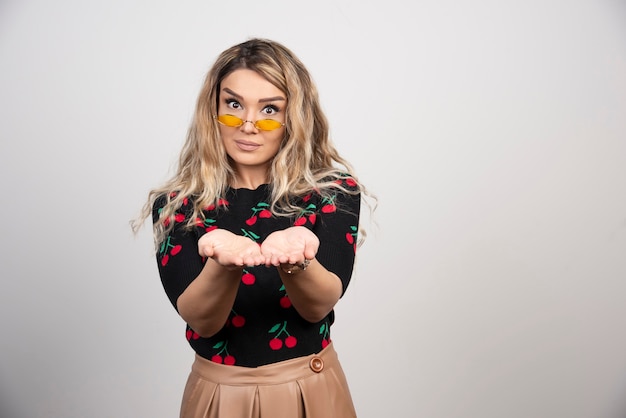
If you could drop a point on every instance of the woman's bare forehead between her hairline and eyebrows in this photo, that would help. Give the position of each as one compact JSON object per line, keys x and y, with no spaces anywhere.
{"x":249,"y":85}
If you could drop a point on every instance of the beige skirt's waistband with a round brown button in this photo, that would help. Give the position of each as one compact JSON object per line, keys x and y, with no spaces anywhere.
{"x":271,"y":374}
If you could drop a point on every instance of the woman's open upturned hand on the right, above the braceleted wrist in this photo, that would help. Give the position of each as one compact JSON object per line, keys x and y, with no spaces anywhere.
{"x":290,"y":246}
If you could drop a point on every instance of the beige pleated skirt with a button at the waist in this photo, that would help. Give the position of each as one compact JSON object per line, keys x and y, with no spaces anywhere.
{"x":308,"y":387}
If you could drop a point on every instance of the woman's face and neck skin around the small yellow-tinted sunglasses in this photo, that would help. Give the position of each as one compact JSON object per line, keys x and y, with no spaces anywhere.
{"x":250,"y":97}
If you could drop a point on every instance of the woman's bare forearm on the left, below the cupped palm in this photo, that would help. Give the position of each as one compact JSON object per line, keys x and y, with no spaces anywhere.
{"x":208,"y":300}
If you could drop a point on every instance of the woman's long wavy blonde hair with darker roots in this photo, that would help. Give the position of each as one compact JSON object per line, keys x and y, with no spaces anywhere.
{"x":306,"y":161}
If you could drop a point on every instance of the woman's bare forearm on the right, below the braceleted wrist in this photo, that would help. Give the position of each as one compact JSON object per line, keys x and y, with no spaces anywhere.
{"x":313,"y":292}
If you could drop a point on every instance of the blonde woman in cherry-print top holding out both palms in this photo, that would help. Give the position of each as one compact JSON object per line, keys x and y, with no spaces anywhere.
{"x":256,"y":237}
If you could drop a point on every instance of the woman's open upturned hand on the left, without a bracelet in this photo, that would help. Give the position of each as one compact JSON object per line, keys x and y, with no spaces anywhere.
{"x":230,"y":250}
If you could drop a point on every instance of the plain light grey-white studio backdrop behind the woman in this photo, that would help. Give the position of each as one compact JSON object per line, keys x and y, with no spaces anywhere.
{"x":493,"y":133}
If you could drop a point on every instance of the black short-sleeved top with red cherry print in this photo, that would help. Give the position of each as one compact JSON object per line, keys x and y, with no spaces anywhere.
{"x":263,"y":327}
